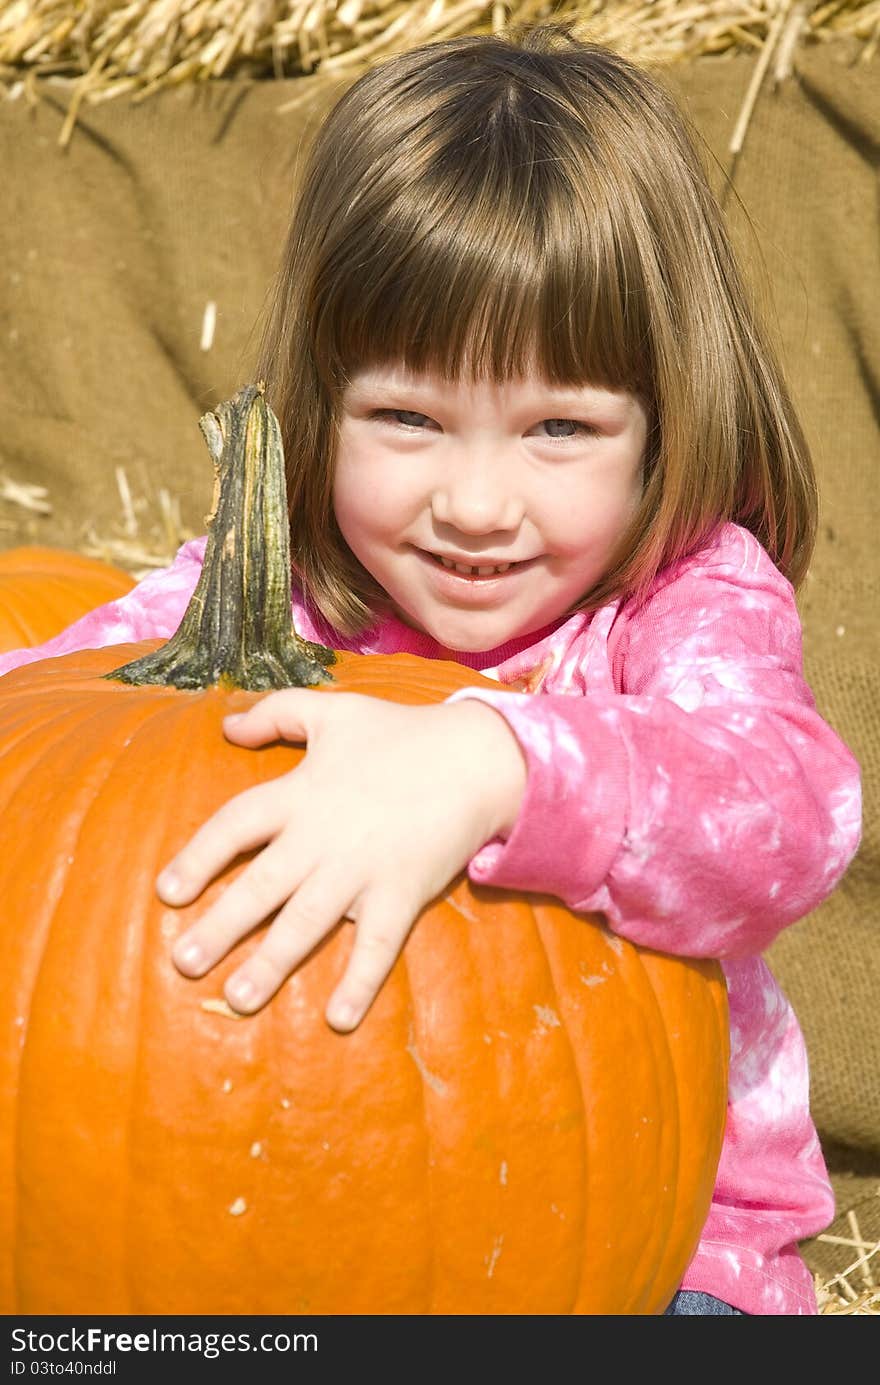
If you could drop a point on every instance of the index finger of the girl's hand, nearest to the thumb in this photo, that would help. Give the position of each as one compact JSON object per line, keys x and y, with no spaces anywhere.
{"x":243,"y":823}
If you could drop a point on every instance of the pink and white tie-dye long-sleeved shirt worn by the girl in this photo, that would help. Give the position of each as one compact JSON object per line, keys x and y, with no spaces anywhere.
{"x":681,"y":782}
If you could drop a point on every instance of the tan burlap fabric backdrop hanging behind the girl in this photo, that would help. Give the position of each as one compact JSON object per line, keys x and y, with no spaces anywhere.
{"x":112,"y":251}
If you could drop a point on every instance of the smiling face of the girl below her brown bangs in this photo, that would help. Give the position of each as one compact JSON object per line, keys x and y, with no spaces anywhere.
{"x":484,"y":510}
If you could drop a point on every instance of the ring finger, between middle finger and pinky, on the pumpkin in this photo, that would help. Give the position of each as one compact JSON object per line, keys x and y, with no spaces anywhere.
{"x":311,"y":915}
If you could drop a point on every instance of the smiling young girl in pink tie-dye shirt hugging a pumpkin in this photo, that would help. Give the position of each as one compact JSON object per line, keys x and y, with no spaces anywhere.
{"x":531,"y":425}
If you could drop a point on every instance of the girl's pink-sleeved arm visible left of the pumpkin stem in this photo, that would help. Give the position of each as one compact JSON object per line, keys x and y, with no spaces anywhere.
{"x":150,"y":611}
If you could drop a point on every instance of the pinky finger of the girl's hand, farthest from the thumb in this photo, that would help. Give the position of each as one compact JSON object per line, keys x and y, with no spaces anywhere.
{"x":382,"y":930}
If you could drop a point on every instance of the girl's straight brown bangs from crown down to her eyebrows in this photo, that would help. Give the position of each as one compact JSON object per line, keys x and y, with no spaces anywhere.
{"x":494,"y":260}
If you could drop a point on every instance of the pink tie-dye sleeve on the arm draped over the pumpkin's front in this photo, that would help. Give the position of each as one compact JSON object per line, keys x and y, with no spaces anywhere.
{"x":698,"y":798}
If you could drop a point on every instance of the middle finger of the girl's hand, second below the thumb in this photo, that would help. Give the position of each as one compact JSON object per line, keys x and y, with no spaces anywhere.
{"x":263,"y":887}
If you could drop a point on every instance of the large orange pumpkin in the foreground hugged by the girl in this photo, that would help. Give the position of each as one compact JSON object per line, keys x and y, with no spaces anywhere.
{"x":529,"y":1121}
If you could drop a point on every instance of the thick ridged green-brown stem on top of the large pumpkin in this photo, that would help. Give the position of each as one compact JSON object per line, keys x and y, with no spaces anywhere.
{"x":238,"y":628}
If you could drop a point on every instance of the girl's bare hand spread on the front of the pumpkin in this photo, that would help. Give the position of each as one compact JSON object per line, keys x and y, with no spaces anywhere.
{"x":385,"y":811}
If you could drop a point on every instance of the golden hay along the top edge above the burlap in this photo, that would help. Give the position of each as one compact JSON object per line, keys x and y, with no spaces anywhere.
{"x":113,"y":48}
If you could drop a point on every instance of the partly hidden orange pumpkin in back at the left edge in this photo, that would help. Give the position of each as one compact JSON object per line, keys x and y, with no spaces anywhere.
{"x":44,"y":591}
